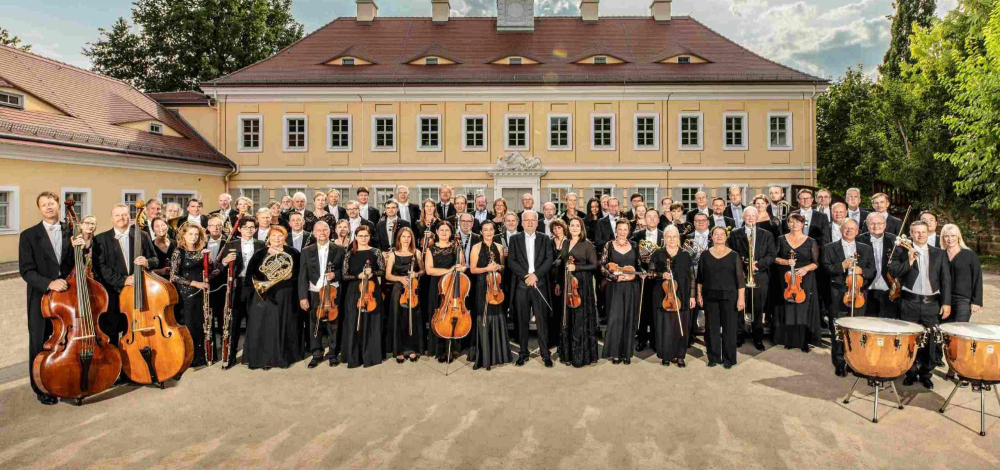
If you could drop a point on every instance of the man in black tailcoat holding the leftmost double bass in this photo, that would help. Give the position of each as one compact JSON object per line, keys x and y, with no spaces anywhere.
{"x":44,"y":259}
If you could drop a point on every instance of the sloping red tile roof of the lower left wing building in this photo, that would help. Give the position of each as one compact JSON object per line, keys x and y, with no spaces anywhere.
{"x":93,"y":105}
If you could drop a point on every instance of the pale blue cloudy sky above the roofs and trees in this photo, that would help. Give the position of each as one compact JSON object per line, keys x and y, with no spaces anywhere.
{"x":822,"y":37}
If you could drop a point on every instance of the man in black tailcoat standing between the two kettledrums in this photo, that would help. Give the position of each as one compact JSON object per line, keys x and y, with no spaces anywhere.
{"x":925,"y":275}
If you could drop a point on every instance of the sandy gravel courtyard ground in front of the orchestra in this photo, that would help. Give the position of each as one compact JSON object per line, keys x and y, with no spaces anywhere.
{"x":776,"y":409}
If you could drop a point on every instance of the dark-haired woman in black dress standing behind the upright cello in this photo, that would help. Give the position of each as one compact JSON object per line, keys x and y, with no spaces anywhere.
{"x":442,"y":258}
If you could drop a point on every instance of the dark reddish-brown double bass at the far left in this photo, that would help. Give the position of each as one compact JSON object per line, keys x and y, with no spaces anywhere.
{"x":77,"y":360}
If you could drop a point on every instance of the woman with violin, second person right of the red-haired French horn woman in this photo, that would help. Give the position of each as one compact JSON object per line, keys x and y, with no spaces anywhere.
{"x":362,"y":340}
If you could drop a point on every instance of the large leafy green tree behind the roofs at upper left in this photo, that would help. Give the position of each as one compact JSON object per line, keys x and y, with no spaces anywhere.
{"x":177,"y":45}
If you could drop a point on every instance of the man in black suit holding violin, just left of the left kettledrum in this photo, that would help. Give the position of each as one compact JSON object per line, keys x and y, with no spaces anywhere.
{"x":837,"y":260}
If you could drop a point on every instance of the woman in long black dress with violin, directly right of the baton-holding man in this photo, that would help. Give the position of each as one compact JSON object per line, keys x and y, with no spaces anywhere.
{"x":578,"y":342}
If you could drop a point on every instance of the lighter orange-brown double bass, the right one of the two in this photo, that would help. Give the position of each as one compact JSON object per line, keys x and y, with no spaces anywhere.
{"x":154,"y":347}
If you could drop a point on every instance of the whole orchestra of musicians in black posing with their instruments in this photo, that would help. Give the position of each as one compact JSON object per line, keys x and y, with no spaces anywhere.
{"x":345,"y":282}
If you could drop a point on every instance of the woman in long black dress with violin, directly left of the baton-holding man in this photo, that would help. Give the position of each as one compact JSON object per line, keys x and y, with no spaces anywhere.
{"x":492,"y":345}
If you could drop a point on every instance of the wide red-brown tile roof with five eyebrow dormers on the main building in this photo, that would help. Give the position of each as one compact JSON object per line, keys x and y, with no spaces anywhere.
{"x":474,"y":42}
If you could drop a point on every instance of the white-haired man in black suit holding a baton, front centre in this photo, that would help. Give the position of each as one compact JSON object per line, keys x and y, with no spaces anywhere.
{"x":530,"y":270}
